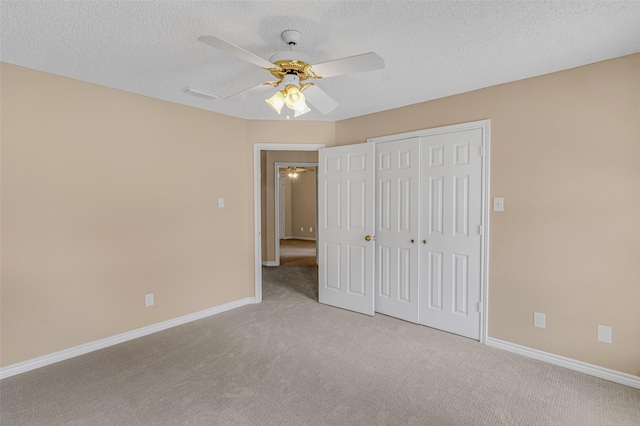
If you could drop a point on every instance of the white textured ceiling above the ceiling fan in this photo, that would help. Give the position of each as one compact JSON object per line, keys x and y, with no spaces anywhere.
{"x":431,"y":49}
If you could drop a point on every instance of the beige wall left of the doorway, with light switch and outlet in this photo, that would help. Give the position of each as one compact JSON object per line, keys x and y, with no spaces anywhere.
{"x":107,"y":196}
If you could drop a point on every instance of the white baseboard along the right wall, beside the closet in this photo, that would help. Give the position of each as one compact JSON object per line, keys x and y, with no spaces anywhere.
{"x":572,"y":364}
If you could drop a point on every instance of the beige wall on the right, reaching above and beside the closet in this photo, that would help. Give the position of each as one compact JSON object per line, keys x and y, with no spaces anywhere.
{"x":565,"y":155}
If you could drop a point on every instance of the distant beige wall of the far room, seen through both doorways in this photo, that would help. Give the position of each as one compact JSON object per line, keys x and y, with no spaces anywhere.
{"x":303,"y":205}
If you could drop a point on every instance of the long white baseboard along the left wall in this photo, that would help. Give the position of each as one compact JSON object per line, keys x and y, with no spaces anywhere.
{"x":42,"y":361}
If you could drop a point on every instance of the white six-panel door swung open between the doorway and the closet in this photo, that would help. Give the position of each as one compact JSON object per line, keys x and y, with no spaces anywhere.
{"x":345,"y":227}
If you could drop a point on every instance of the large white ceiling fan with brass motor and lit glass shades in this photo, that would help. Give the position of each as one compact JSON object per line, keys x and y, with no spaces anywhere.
{"x":292,"y":69}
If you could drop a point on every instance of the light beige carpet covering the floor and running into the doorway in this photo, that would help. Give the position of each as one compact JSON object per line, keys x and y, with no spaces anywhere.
{"x":293,"y":361}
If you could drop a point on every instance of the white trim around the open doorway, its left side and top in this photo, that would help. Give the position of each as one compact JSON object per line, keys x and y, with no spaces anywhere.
{"x":257,"y":206}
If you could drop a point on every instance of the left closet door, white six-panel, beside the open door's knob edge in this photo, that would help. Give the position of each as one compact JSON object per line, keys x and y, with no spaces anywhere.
{"x":397,"y":221}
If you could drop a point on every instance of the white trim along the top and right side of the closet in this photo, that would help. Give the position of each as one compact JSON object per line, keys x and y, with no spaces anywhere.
{"x":485,"y":126}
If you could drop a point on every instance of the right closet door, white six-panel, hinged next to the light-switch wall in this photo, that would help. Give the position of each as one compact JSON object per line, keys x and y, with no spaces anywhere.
{"x":450,"y":227}
